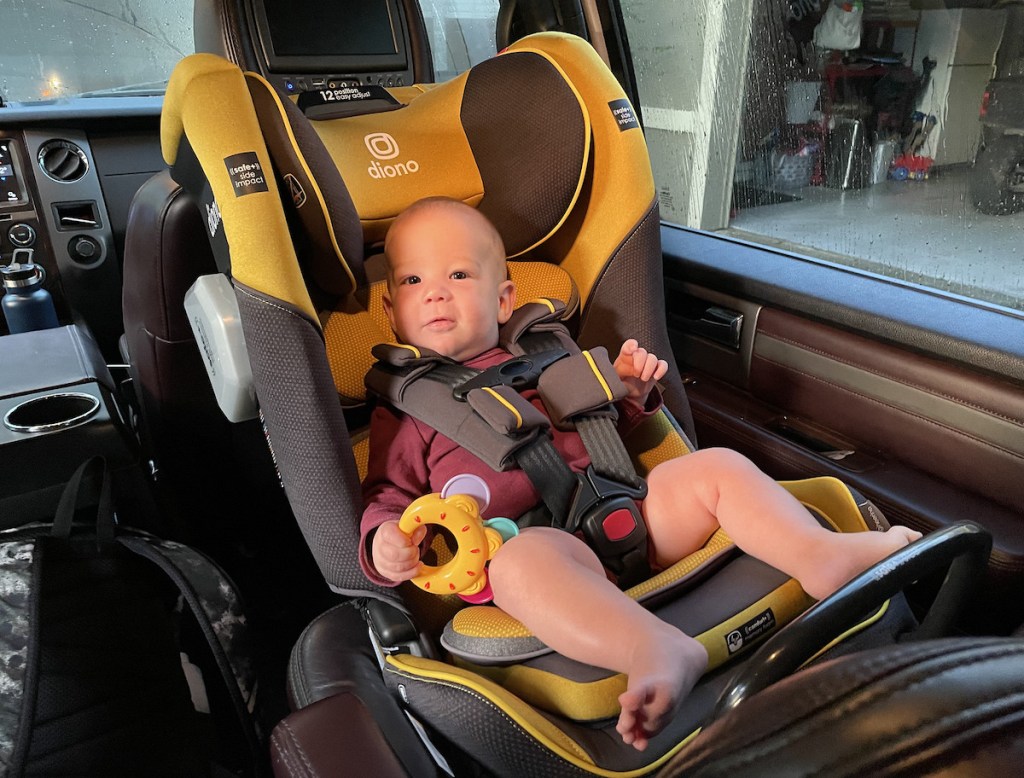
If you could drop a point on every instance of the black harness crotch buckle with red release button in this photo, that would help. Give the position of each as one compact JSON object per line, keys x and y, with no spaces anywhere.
{"x":608,"y":514}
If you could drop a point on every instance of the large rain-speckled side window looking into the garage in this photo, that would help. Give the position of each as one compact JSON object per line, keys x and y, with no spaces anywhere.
{"x":847,"y":133}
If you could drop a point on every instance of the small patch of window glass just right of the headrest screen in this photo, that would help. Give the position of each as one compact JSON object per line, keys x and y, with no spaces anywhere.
{"x":461,"y":34}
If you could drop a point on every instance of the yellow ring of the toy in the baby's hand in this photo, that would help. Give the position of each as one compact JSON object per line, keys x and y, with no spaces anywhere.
{"x":465,"y":574}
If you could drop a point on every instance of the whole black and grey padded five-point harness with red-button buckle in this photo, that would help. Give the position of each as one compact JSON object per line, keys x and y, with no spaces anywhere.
{"x":484,"y":412}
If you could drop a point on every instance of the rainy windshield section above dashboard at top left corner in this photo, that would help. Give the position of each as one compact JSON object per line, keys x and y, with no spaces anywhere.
{"x":55,"y":50}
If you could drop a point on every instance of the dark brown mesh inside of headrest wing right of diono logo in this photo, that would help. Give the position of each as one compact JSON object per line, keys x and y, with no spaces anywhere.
{"x":531,"y":165}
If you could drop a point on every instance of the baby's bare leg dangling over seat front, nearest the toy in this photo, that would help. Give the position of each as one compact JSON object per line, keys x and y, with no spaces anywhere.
{"x":554,"y":584}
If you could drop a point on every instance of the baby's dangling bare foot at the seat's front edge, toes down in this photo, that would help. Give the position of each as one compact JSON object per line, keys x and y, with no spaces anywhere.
{"x":659,"y":680}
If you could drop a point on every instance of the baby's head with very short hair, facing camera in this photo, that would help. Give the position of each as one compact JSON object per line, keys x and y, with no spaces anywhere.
{"x":448,"y":287}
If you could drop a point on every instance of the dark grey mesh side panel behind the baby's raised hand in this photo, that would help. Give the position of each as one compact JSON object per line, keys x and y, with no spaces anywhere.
{"x":607,"y":322}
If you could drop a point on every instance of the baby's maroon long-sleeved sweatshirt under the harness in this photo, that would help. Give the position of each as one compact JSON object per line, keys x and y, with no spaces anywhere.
{"x":409,"y":459}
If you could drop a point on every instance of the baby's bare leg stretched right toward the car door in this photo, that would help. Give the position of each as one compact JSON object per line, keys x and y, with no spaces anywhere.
{"x":690,"y":497}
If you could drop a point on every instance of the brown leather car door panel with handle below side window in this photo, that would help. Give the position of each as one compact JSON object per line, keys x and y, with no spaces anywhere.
{"x":809,"y":392}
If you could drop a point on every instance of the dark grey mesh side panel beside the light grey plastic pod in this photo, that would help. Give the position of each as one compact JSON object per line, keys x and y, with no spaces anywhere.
{"x":308,"y":435}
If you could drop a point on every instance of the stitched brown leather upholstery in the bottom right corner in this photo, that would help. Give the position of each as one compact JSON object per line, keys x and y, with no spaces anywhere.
{"x":950,"y":708}
